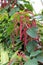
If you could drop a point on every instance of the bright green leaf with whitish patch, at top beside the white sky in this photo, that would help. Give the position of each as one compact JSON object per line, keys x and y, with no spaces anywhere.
{"x":24,"y":4}
